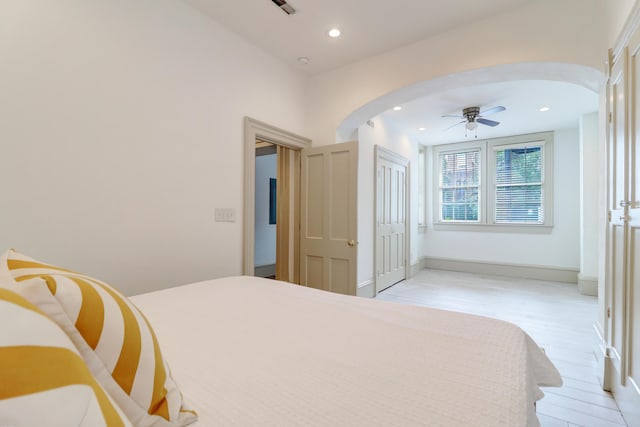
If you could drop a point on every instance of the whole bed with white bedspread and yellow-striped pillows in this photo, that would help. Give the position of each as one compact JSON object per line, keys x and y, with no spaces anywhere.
{"x":247,"y":351}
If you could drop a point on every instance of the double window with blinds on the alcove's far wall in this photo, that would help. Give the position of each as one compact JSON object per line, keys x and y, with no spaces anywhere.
{"x":498,"y":182}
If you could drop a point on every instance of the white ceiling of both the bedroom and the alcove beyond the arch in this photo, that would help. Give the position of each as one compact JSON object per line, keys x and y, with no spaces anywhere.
{"x":370,"y":28}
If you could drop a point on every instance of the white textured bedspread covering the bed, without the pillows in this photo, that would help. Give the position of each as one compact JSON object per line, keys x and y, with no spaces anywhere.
{"x":247,"y":351}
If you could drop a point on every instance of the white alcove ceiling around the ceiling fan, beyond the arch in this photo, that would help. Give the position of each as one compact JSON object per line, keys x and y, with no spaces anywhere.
{"x":522,"y":100}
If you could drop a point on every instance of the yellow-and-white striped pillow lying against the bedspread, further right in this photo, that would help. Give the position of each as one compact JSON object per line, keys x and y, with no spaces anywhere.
{"x":112,"y":335}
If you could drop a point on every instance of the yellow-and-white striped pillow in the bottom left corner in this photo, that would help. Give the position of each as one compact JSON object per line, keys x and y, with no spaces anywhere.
{"x":43,"y":379}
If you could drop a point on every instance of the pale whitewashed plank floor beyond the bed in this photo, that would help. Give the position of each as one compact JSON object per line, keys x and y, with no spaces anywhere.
{"x":554,"y":314}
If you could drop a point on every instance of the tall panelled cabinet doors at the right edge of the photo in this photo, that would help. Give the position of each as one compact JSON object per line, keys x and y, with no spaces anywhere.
{"x":623,"y":239}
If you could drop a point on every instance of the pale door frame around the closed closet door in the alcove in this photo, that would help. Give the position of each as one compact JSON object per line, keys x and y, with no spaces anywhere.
{"x":391,"y":156}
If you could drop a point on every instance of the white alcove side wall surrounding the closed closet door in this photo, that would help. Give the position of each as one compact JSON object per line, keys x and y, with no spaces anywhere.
{"x":385,"y":134}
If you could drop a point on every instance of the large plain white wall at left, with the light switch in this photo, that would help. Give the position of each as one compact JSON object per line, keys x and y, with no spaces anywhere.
{"x":121,"y":132}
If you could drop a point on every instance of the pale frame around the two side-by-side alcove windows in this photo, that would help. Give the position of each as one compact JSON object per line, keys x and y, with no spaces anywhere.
{"x":487,"y":195}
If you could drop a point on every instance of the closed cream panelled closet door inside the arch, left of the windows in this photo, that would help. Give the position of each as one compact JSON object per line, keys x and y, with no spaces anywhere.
{"x":391,"y":218}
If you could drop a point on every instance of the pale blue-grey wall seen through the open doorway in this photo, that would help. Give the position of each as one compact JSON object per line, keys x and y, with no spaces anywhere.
{"x":265,"y":233}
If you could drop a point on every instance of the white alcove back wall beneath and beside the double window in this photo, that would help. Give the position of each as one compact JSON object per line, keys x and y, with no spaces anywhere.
{"x":559,"y":249}
